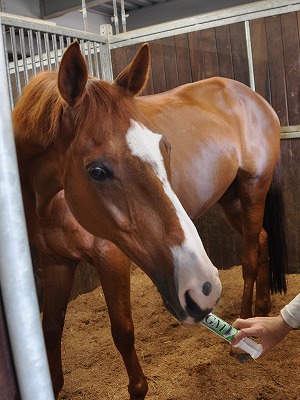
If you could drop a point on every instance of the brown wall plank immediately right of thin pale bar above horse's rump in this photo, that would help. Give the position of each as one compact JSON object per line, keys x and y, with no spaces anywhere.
{"x":260,"y":58}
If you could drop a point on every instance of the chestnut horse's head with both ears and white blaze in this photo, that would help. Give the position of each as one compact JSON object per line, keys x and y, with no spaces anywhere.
{"x":116,"y":175}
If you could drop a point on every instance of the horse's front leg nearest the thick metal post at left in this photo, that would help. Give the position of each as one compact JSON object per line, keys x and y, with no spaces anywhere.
{"x":58,"y":278}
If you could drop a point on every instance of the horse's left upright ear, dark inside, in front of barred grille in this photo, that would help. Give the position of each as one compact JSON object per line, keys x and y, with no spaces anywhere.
{"x":72,"y":74}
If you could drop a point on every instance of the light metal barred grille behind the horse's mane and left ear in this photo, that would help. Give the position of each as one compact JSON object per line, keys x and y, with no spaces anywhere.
{"x":33,"y":46}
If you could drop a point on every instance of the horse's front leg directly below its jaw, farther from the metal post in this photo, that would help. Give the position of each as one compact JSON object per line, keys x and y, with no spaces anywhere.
{"x":114,"y":273}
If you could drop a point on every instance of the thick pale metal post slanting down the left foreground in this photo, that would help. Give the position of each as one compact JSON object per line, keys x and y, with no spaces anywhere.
{"x":16,"y":276}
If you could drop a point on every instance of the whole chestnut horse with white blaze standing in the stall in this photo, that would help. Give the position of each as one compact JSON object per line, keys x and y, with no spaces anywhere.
{"x":134,"y":171}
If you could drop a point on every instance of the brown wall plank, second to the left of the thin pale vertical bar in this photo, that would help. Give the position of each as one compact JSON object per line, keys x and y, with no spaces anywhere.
{"x":224,"y":51}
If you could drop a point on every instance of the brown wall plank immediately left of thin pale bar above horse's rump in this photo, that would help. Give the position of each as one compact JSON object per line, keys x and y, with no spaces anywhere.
{"x":239,"y":53}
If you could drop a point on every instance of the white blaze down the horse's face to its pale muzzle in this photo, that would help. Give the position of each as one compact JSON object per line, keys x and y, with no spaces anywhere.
{"x":192,"y":266}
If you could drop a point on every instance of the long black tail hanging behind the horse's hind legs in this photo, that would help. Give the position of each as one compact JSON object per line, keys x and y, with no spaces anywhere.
{"x":274,"y":224}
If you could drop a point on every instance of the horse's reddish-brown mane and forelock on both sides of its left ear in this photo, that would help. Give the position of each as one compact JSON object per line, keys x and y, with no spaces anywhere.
{"x":36,"y":116}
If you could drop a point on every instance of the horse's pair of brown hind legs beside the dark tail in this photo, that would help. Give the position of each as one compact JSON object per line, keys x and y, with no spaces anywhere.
{"x":244,"y":209}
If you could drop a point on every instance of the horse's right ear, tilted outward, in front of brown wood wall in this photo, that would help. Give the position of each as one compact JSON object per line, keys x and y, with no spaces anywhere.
{"x":134,"y":77}
